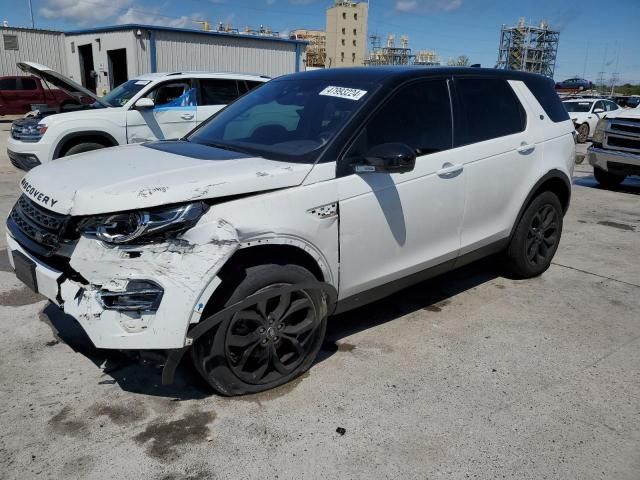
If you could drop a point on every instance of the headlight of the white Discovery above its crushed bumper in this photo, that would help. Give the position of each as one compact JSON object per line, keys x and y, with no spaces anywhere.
{"x":144,"y":226}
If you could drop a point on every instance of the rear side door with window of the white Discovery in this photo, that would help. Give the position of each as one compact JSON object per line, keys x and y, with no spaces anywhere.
{"x":497,"y":169}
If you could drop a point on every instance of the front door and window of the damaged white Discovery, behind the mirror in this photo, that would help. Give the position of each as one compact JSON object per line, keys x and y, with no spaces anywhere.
{"x":393,"y":225}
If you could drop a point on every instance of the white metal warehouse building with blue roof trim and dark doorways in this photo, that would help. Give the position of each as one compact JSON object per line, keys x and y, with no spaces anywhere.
{"x":102,"y":58}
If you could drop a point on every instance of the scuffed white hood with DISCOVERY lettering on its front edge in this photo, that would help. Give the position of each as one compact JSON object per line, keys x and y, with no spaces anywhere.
{"x":142,"y":176}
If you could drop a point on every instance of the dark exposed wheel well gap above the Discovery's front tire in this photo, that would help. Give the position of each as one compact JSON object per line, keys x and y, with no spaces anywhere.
{"x":233,"y":271}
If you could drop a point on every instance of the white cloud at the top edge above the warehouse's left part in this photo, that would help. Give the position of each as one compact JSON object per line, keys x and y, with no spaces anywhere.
{"x":83,"y":12}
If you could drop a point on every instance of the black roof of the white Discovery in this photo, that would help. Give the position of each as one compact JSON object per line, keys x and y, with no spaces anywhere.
{"x":384,"y":74}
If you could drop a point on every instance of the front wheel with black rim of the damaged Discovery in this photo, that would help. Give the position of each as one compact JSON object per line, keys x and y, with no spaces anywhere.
{"x":259,"y":348}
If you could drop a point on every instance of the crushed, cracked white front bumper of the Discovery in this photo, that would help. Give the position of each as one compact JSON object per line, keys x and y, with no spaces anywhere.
{"x":187,"y":274}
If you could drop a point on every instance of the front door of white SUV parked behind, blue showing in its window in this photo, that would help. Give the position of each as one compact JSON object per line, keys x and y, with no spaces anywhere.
{"x":173,"y":116}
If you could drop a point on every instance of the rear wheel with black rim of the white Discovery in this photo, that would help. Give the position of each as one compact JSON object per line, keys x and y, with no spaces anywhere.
{"x":536,"y":237}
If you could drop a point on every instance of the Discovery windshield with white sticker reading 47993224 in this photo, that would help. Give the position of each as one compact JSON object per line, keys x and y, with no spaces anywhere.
{"x":290,"y":120}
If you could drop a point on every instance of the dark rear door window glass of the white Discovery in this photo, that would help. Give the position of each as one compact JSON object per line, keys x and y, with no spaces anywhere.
{"x":486,"y":108}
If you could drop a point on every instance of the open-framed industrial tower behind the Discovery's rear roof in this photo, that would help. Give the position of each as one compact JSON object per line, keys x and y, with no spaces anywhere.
{"x":528,"y":48}
